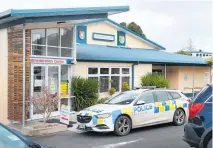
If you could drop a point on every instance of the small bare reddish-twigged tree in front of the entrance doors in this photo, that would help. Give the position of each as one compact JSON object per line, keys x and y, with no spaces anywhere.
{"x":45,"y":102}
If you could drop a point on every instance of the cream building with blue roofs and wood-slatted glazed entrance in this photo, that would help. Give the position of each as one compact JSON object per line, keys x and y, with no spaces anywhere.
{"x":47,"y":47}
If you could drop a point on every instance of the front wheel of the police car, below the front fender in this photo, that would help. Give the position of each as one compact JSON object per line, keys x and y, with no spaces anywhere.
{"x":123,"y":126}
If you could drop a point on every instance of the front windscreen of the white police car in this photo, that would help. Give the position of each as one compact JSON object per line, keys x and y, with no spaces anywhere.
{"x":124,"y":98}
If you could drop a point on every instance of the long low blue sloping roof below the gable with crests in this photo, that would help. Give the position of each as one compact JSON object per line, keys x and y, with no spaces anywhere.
{"x":86,"y":52}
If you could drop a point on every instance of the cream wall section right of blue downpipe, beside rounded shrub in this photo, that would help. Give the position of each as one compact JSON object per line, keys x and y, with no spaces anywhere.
{"x":141,"y":70}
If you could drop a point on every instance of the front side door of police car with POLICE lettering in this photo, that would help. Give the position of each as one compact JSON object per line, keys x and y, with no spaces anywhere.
{"x":143,"y":114}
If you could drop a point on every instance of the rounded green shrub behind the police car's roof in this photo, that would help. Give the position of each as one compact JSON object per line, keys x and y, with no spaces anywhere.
{"x":154,"y":79}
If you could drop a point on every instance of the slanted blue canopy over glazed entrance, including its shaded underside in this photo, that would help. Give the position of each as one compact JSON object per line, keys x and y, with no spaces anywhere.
{"x":26,"y":16}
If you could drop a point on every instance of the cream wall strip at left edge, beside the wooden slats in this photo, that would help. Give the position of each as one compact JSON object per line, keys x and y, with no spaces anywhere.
{"x":3,"y":75}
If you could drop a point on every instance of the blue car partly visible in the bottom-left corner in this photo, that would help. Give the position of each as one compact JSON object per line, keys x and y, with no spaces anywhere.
{"x":10,"y":138}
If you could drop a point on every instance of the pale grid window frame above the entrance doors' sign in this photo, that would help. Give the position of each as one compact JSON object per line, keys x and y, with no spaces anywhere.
{"x":46,"y":44}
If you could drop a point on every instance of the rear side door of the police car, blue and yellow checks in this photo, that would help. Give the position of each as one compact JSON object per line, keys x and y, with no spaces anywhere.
{"x":164,"y":106}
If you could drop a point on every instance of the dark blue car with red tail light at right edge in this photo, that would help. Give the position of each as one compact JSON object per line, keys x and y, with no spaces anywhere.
{"x":198,"y":130}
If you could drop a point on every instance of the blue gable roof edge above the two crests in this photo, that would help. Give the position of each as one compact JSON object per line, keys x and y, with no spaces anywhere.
{"x":125,"y":30}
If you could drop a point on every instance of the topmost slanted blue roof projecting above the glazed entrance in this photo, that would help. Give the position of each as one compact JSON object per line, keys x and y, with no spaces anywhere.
{"x":19,"y":14}
